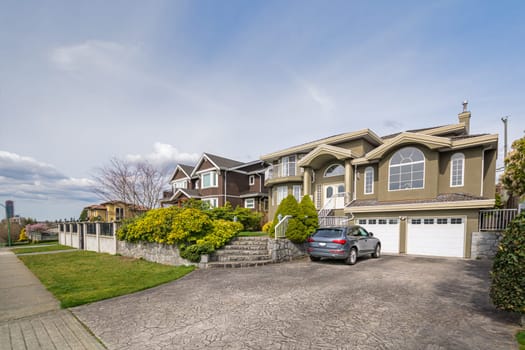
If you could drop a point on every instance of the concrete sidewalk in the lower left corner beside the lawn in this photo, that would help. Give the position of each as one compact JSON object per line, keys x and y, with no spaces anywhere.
{"x":30,"y":317}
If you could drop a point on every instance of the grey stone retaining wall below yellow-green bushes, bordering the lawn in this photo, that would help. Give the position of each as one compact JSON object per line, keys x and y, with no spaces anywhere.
{"x":155,"y":252}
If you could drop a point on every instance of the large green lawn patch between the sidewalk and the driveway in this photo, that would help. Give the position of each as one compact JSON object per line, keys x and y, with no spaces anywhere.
{"x":83,"y":277}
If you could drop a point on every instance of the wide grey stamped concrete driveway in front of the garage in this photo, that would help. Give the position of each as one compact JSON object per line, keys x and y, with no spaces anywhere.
{"x":396,"y":302}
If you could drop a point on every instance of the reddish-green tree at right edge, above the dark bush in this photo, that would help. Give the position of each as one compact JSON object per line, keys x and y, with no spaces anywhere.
{"x":513,"y":178}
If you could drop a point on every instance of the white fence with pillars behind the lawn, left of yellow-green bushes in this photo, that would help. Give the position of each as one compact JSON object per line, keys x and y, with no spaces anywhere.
{"x":95,"y":236}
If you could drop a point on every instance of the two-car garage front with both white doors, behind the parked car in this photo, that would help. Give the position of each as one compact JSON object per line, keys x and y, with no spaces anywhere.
{"x":419,"y":235}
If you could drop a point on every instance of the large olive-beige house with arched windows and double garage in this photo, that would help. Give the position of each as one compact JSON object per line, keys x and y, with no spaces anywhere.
{"x":419,"y":191}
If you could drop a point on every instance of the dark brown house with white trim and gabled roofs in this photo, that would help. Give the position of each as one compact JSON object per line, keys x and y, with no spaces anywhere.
{"x":217,"y":180}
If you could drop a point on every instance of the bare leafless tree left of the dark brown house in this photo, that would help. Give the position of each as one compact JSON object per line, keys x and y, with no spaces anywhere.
{"x":137,"y":183}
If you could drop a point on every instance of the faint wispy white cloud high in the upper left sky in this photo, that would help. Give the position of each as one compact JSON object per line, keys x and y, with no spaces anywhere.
{"x":104,"y":55}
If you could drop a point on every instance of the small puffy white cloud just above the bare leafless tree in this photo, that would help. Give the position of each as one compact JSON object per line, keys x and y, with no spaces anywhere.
{"x":165,"y":155}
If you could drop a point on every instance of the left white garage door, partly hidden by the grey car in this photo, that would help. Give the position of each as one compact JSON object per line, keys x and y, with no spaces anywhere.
{"x":386,"y":229}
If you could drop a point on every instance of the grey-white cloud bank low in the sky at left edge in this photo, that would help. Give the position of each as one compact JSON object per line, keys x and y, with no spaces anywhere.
{"x":23,"y":177}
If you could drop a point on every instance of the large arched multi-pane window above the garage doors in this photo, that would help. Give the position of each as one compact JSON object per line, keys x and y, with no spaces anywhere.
{"x":406,"y":169}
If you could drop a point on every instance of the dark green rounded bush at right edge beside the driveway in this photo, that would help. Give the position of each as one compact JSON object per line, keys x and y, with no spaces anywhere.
{"x":507,"y":290}
